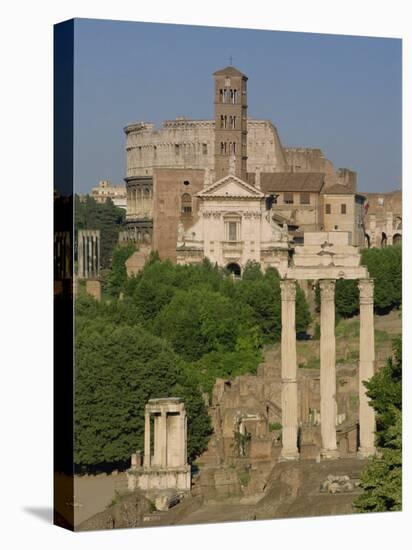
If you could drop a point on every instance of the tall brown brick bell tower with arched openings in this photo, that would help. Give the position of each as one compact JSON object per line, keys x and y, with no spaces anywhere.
{"x":230,"y":123}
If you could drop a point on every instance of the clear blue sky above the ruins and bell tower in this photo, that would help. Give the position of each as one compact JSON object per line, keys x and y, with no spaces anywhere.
{"x":339,"y":93}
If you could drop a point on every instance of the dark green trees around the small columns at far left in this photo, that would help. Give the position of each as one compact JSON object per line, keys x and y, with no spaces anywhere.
{"x":108,"y":218}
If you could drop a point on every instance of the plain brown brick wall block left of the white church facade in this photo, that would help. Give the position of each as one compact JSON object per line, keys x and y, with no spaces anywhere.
{"x":169,"y":186}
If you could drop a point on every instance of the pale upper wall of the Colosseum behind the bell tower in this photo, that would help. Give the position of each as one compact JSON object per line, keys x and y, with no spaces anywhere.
{"x":183,"y":143}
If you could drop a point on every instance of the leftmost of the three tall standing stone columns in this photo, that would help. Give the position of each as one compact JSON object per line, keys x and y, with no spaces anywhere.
{"x":289,"y":373}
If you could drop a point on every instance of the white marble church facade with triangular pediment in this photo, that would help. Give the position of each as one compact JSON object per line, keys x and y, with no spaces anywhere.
{"x":234,"y":227}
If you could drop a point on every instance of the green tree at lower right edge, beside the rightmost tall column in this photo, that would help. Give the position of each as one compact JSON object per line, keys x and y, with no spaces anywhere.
{"x":381,"y":481}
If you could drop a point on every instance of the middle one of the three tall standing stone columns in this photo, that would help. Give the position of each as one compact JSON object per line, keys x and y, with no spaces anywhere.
{"x":328,"y":408}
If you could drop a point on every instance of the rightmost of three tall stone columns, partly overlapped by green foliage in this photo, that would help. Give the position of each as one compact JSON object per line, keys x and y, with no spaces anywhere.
{"x":366,"y":368}
